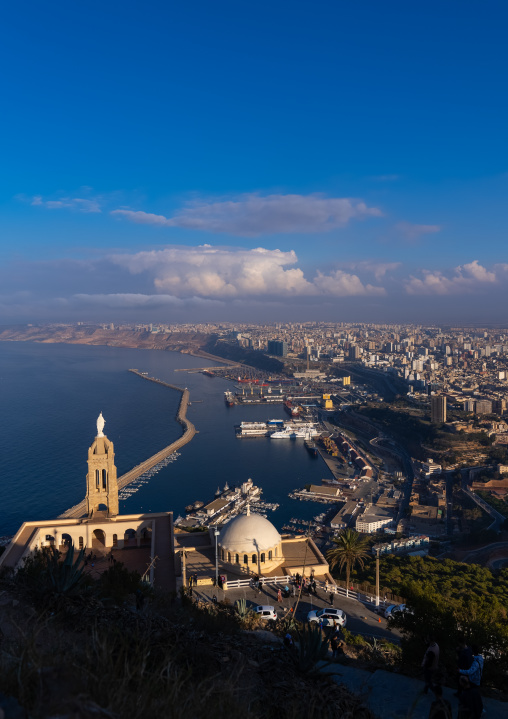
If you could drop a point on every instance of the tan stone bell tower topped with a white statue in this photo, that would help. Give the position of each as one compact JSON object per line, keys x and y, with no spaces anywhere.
{"x":101,"y":481}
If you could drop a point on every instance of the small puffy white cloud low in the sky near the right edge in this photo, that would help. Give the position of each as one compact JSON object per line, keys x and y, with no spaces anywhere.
{"x":466,"y":278}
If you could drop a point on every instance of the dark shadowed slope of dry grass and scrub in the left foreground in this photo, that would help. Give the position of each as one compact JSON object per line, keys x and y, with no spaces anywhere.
{"x":178,"y":662}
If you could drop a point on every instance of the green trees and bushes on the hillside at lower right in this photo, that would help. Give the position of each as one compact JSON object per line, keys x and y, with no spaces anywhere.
{"x":449,"y":598}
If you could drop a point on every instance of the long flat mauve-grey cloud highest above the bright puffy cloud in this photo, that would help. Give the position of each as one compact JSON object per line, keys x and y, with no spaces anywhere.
{"x":251,"y":215}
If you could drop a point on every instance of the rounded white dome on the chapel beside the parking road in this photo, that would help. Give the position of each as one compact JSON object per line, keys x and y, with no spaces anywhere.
{"x":249,"y":533}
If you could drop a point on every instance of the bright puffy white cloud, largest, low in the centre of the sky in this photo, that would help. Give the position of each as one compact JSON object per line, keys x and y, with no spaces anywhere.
{"x":224,"y":272}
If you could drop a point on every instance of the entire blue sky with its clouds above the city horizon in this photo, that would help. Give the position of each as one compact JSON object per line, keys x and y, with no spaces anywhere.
{"x":253,"y":160}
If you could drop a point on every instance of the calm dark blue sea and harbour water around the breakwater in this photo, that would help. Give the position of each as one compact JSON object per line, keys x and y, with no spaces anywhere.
{"x":52,"y":394}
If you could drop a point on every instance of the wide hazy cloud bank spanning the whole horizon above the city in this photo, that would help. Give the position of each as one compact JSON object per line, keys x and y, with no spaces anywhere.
{"x":221,"y":281}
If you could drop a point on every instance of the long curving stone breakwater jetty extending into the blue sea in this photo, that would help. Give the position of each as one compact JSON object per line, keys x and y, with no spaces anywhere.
{"x":188,"y":433}
